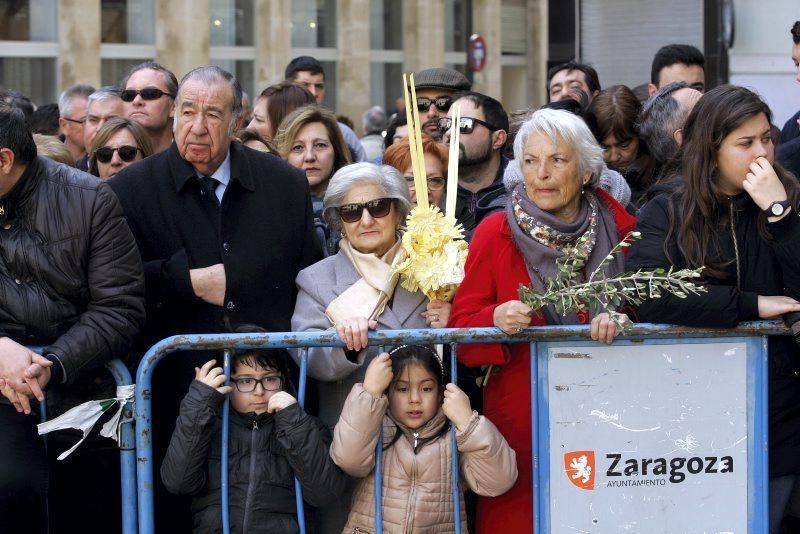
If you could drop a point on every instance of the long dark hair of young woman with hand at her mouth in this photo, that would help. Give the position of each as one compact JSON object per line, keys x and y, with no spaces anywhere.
{"x":718,"y":113}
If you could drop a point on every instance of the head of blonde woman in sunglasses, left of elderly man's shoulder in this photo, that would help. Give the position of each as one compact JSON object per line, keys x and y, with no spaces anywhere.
{"x":118,"y":143}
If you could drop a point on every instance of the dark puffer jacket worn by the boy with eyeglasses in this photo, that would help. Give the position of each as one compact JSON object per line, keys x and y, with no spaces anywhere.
{"x":265,"y":453}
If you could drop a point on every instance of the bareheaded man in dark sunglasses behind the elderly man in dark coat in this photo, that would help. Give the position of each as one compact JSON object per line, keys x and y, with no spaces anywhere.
{"x":148,"y":91}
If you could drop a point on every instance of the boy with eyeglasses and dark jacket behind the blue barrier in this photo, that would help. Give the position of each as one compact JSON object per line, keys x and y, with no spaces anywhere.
{"x":271,"y":441}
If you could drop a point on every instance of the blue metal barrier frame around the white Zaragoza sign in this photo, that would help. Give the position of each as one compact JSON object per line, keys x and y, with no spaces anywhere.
{"x":637,"y":334}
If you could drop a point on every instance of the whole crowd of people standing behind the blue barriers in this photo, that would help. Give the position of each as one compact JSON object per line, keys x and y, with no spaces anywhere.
{"x":208,"y":215}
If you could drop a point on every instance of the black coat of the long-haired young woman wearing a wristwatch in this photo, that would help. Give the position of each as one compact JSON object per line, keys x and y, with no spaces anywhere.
{"x":766,"y":267}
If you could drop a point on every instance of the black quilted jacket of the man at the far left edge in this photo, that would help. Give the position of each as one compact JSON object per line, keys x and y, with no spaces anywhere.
{"x":71,"y":278}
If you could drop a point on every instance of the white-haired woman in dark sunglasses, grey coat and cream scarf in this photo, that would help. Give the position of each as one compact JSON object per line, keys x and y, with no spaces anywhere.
{"x":354,"y":291}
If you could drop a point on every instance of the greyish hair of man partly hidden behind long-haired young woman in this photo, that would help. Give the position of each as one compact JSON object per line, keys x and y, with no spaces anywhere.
{"x":660,"y":117}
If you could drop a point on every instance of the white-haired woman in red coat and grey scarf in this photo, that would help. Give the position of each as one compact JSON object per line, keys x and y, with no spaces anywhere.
{"x":556,"y":207}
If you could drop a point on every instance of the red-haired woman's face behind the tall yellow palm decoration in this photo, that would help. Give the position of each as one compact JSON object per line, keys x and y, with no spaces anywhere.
{"x":436,"y":158}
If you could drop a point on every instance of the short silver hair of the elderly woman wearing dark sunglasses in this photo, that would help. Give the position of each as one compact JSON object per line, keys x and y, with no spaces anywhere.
{"x":386,"y":178}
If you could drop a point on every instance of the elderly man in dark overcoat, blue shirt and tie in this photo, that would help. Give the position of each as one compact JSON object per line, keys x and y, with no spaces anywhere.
{"x":223,"y":231}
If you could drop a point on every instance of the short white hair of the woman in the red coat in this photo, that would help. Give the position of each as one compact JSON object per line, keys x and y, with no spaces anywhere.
{"x":566,"y":127}
